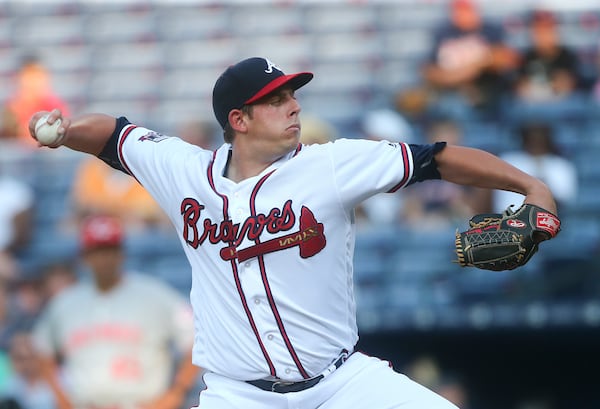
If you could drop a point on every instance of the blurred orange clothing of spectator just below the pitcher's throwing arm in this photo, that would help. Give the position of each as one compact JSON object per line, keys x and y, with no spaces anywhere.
{"x":99,"y":189}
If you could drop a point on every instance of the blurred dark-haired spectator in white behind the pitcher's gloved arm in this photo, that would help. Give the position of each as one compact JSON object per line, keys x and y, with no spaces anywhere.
{"x":540,"y":157}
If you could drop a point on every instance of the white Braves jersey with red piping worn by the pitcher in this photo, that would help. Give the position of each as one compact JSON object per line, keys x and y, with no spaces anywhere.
{"x":271,"y":256}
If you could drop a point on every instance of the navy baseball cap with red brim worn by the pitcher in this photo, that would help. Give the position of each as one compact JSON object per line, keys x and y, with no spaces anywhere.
{"x":248,"y":81}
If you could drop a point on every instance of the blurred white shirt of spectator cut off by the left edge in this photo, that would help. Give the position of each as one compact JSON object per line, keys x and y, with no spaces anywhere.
{"x":16,"y":213}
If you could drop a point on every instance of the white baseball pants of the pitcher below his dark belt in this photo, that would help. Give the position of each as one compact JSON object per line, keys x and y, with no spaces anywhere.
{"x":362,"y":382}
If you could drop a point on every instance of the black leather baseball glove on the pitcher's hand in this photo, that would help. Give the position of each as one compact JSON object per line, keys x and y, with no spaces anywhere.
{"x":505,"y":241}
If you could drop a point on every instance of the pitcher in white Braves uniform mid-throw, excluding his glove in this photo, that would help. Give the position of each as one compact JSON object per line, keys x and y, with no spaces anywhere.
{"x":268,"y":227}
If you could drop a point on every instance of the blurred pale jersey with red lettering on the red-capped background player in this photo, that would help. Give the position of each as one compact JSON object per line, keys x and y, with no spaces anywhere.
{"x":117,"y":346}
